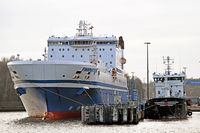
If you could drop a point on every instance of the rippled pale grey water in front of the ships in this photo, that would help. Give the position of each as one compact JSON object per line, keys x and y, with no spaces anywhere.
{"x":18,"y":122}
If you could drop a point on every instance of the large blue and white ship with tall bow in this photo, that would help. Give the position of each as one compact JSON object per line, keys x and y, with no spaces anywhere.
{"x":77,"y":70}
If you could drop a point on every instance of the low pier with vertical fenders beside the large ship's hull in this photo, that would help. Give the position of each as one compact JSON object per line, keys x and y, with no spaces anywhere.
{"x":112,"y":114}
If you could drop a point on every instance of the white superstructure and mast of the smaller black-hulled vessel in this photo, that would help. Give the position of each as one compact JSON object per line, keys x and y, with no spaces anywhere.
{"x":169,"y":84}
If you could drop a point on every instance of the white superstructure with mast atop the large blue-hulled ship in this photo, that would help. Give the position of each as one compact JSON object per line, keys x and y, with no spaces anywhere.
{"x":84,"y":46}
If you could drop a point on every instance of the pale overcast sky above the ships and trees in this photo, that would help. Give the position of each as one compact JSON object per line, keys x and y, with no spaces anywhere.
{"x":171,"y":26}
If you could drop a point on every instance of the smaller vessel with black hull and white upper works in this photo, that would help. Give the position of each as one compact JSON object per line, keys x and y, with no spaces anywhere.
{"x":170,"y":98}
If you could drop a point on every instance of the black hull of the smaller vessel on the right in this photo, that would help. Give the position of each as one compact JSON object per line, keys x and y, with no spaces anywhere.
{"x":161,"y":108}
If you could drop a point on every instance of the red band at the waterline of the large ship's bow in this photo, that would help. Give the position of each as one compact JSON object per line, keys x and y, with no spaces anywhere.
{"x":61,"y":115}
